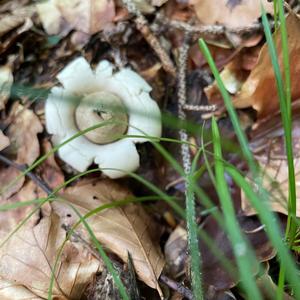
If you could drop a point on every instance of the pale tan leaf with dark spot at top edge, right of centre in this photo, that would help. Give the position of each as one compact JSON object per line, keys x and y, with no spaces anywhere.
{"x":230,"y":13}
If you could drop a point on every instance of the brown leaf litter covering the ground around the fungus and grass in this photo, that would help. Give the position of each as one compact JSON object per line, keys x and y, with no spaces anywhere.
{"x":37,"y":41}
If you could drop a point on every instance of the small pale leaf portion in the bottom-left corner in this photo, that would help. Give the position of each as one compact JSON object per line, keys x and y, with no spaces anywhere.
{"x":10,"y":290}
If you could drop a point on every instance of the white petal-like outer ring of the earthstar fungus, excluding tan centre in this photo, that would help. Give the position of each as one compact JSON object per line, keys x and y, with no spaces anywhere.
{"x":79,"y":80}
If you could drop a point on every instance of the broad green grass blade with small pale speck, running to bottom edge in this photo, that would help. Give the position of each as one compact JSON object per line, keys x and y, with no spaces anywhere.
{"x":244,"y":257}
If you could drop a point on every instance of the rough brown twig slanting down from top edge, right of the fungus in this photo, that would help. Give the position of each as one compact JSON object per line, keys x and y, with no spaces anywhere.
{"x":143,"y":26}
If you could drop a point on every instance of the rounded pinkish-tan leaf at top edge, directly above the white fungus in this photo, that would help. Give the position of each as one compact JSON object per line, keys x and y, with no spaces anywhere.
{"x":89,"y":16}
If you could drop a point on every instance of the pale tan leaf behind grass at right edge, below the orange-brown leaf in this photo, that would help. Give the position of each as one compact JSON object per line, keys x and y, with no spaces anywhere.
{"x":270,"y":154}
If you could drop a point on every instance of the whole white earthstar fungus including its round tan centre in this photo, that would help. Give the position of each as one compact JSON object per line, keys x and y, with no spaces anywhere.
{"x":117,"y":103}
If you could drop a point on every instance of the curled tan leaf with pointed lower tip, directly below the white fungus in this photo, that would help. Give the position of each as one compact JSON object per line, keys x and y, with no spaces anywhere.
{"x":122,"y":230}
